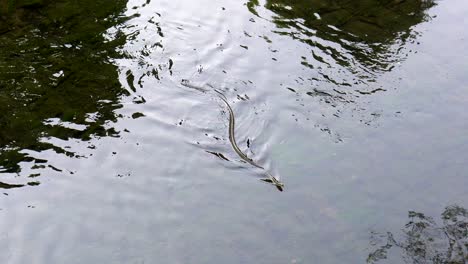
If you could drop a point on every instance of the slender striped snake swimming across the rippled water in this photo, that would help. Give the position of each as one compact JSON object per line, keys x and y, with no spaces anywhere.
{"x":232,"y":139}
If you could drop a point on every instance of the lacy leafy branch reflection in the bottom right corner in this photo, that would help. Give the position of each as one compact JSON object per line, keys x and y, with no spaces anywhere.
{"x":425,"y":241}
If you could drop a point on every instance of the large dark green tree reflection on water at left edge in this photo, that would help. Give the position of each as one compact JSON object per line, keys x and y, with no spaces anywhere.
{"x":56,"y":76}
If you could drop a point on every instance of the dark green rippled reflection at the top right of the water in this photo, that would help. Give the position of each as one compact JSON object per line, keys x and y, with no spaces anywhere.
{"x":365,"y":37}
